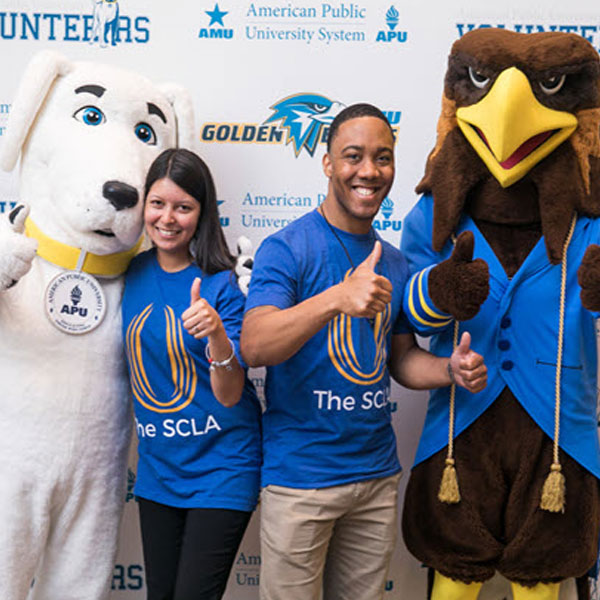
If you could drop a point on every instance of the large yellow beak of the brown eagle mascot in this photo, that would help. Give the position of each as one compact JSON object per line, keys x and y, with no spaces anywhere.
{"x":510,"y":130}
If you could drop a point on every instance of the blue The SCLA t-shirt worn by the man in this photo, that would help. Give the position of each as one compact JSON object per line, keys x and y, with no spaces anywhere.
{"x":328,"y":415}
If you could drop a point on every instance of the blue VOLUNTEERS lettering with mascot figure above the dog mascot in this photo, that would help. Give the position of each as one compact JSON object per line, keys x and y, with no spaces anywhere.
{"x":105,"y":25}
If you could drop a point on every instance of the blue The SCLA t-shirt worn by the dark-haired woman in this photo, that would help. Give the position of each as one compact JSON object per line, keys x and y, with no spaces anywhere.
{"x":193,"y":451}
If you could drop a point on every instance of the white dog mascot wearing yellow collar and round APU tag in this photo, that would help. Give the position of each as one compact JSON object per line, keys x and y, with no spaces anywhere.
{"x":87,"y":134}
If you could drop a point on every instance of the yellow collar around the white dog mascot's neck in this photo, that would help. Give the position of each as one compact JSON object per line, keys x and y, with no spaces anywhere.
{"x":68,"y":257}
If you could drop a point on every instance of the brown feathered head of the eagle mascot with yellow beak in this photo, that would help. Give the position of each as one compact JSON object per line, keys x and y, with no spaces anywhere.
{"x":518,"y":140}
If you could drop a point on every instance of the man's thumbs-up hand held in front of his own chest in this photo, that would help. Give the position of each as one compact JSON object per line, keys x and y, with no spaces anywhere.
{"x":365,"y":293}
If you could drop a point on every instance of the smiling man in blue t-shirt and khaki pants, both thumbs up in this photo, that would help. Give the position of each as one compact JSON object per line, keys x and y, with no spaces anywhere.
{"x":324,"y":314}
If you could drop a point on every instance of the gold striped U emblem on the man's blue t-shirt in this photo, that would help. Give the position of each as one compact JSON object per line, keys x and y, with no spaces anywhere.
{"x":340,"y":347}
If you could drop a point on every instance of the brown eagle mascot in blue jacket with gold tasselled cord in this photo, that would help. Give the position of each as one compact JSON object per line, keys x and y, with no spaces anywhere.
{"x":502,"y":244}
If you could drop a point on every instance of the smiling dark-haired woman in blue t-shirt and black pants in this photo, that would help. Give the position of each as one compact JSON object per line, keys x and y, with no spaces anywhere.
{"x":197,"y":415}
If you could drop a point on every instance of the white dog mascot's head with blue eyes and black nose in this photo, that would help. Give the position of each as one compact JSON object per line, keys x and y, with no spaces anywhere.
{"x":87,"y":134}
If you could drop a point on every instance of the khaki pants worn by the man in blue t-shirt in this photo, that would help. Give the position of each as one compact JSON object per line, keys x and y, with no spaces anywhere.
{"x":338,"y":539}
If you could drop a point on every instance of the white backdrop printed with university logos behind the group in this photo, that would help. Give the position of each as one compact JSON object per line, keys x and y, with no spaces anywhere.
{"x":240,"y":60}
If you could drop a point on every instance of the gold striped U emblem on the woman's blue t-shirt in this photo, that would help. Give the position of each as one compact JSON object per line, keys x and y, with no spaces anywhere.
{"x":183,"y":369}
